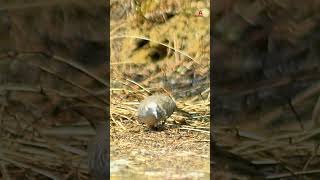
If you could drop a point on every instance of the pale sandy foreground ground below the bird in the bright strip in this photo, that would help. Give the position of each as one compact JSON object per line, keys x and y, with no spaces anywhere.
{"x":170,"y":154}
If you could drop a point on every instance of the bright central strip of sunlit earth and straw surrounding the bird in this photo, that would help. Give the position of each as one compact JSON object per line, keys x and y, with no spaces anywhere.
{"x":164,"y":51}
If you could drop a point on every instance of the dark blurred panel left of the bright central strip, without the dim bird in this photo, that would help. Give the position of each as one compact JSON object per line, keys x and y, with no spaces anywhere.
{"x":53,"y":86}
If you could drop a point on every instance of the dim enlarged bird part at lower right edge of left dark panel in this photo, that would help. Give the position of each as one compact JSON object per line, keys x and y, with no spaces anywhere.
{"x":98,"y":153}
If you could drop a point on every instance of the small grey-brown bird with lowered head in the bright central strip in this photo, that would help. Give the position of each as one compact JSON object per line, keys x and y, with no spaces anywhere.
{"x":154,"y":110}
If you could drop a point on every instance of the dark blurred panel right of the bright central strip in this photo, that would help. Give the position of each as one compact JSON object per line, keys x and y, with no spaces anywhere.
{"x":266,"y":74}
